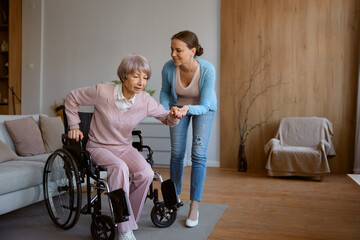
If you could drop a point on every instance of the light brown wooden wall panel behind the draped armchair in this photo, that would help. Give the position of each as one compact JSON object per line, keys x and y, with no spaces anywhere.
{"x":313,"y":47}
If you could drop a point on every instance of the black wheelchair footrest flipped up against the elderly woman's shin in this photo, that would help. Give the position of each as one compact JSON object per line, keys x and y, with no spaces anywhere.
{"x":120,"y":205}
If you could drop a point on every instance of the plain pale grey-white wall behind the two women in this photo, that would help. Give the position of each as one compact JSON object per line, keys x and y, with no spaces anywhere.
{"x":75,"y":43}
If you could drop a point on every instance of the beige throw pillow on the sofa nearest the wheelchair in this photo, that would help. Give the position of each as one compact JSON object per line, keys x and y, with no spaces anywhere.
{"x":51,"y":129}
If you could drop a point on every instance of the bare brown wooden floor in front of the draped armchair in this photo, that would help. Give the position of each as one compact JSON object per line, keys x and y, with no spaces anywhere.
{"x":260,"y":207}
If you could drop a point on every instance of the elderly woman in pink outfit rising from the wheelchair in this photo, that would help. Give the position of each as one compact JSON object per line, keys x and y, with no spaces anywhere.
{"x":118,"y":109}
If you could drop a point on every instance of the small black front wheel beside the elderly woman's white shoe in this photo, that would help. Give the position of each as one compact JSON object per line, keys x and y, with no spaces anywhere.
{"x":103,"y":228}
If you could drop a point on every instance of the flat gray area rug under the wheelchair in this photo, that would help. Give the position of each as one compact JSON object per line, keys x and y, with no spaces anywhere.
{"x":33,"y":222}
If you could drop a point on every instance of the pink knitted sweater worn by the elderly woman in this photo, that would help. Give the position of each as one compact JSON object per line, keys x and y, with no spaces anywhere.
{"x":109,"y":125}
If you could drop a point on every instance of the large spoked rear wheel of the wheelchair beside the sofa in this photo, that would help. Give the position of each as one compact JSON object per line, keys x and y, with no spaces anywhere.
{"x":62,"y":189}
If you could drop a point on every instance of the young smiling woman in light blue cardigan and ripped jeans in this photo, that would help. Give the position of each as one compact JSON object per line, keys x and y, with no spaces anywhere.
{"x":188,"y":86}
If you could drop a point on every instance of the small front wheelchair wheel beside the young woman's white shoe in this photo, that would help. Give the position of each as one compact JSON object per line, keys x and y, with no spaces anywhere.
{"x":161,"y":216}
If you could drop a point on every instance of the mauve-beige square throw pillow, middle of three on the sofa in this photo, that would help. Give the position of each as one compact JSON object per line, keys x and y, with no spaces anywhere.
{"x":26,"y":135}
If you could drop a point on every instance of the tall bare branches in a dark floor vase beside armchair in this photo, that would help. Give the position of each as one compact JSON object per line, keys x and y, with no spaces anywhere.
{"x":242,"y":110}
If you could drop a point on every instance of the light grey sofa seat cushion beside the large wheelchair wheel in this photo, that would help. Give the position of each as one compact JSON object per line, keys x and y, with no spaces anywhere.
{"x":16,"y":175}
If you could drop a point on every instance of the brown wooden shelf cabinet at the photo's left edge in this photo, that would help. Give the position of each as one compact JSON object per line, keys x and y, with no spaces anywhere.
{"x":10,"y":56}
